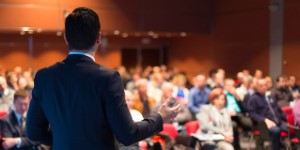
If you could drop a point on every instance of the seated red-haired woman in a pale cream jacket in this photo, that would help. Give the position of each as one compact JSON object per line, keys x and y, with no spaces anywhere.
{"x":215,"y":118}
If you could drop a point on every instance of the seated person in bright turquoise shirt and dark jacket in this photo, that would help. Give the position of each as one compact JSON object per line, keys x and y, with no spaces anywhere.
{"x":236,"y":110}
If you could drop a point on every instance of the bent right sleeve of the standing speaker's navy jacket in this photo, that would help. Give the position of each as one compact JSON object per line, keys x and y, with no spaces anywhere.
{"x":118,"y":114}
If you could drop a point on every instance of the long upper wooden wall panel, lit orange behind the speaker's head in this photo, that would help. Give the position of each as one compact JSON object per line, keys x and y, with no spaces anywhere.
{"x":171,"y":16}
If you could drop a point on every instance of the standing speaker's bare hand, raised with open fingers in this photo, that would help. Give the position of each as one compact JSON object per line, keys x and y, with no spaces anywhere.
{"x":168,"y":113}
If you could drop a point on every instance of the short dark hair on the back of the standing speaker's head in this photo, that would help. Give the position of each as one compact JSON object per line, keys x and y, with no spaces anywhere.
{"x":82,"y":28}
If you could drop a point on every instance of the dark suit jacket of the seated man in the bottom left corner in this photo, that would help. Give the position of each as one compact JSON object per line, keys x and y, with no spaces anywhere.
{"x":10,"y":128}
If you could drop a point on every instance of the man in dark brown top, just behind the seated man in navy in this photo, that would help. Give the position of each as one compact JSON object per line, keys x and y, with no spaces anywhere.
{"x":281,"y":93}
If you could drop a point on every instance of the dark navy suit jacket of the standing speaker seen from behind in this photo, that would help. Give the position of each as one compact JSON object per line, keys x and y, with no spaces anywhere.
{"x":83,"y":104}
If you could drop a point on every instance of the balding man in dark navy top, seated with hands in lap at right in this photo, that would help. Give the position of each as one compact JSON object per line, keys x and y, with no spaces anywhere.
{"x":267,"y":115}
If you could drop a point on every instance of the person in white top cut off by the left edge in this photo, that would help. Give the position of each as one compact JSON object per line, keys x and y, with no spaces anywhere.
{"x":6,"y":96}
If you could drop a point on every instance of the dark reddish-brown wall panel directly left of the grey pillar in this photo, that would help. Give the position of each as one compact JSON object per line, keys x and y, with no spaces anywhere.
{"x":241,"y":37}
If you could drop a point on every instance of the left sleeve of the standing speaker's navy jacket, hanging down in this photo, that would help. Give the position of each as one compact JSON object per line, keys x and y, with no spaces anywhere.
{"x":37,"y":125}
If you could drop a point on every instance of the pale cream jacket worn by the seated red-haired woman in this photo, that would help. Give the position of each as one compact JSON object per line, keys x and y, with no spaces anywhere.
{"x":217,"y":121}
